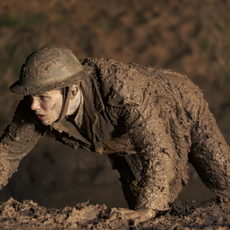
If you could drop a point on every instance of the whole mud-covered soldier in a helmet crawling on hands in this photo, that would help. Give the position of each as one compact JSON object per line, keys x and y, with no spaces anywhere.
{"x":150,"y":122}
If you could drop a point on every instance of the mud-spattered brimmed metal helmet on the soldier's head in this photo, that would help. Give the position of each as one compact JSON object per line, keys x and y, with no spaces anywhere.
{"x":49,"y":68}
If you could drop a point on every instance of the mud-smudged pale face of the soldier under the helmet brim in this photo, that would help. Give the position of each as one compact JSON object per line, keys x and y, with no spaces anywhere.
{"x":47,"y":106}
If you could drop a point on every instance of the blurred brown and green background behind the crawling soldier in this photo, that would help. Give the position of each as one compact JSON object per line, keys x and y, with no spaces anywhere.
{"x":191,"y":37}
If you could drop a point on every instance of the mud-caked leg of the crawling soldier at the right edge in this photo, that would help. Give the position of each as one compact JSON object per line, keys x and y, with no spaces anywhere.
{"x":210,"y":154}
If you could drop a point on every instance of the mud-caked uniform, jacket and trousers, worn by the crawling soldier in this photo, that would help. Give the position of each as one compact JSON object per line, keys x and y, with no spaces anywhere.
{"x":155,"y":119}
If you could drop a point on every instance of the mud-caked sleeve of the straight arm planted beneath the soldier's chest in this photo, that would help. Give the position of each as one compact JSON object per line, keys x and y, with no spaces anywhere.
{"x":156,"y":151}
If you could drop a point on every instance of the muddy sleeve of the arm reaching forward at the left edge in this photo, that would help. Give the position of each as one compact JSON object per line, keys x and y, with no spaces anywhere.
{"x":17,"y":141}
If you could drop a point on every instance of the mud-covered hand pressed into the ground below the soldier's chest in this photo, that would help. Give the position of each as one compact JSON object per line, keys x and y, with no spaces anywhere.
{"x":139,"y":215}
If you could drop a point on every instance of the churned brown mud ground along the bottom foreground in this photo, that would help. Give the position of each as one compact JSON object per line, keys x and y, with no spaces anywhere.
{"x":210,"y":214}
